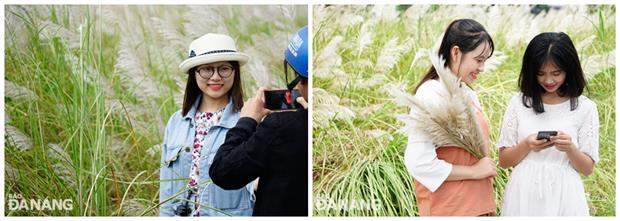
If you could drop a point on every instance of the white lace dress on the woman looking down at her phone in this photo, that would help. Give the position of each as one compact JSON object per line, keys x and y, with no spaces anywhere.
{"x":544,"y":183}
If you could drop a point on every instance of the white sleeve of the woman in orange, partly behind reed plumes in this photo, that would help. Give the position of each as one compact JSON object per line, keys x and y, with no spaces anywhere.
{"x":420,"y":157}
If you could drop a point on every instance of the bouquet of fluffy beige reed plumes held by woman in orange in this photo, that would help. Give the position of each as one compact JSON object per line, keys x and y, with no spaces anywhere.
{"x":452,"y":121}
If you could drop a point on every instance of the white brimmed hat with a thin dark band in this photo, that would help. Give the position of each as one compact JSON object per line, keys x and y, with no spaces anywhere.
{"x":212,"y":48}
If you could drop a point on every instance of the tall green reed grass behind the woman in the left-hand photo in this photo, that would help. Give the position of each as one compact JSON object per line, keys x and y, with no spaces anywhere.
{"x":88,"y":90}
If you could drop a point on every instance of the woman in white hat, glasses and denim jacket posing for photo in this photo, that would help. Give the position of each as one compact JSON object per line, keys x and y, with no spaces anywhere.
{"x":211,"y":105}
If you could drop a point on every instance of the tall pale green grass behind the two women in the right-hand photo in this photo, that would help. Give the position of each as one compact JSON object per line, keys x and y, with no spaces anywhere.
{"x":362,"y":51}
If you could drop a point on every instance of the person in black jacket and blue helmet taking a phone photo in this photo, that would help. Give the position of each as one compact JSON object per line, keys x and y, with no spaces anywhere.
{"x":271,"y":146}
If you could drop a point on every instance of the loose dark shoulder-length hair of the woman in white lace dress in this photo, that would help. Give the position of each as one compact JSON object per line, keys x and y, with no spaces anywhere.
{"x":558,"y":48}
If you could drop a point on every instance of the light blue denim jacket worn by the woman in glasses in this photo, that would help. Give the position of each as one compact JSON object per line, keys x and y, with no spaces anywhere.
{"x":175,"y":166}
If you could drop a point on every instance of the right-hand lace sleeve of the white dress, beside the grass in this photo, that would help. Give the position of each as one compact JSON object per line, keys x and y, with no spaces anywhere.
{"x":588,"y":132}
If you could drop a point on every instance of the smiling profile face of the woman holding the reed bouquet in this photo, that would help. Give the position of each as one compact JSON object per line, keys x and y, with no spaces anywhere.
{"x":471,"y":63}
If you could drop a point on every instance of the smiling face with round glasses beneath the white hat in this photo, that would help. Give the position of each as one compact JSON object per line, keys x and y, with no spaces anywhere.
{"x":215,"y":79}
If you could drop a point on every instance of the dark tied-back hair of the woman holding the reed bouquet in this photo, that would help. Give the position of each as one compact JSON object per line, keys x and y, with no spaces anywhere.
{"x":467,"y":34}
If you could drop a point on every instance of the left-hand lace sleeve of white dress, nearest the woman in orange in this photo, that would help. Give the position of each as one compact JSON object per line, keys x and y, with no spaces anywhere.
{"x":508,"y":136}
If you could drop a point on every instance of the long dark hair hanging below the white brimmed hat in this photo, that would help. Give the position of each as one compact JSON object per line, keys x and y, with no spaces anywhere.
{"x":192,"y":91}
